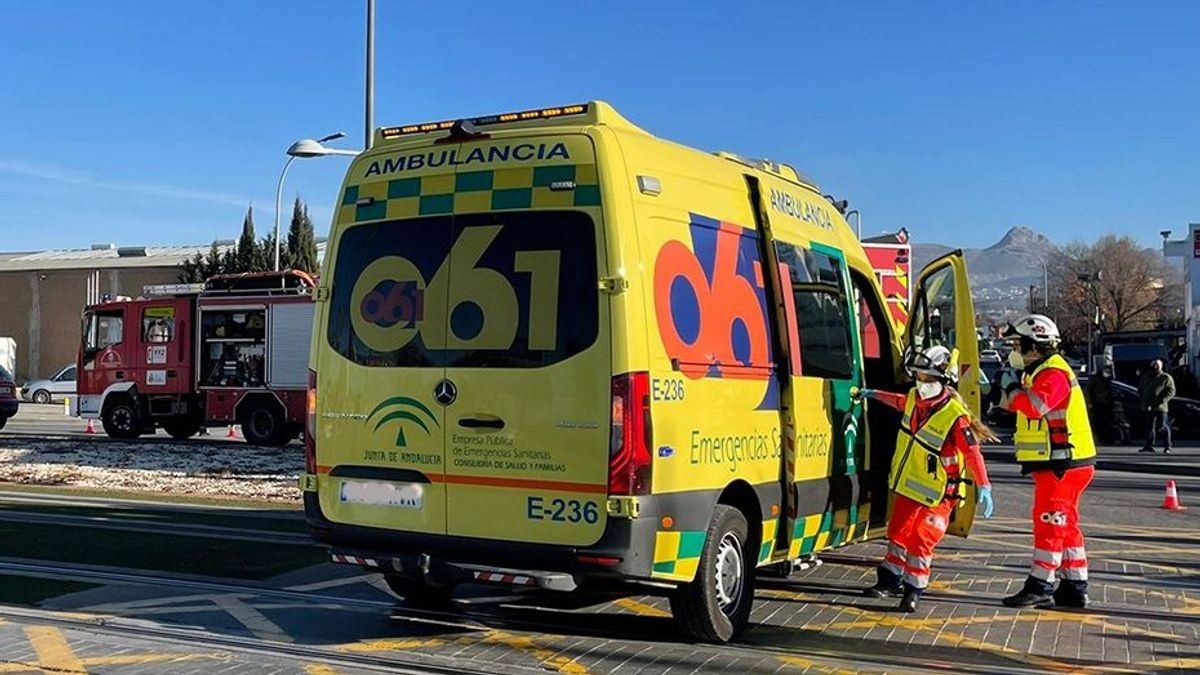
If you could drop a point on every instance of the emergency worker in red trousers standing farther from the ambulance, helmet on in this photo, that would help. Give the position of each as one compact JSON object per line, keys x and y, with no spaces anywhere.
{"x":1055,"y":447}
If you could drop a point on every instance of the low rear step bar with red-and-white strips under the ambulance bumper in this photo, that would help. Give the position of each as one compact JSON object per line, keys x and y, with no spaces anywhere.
{"x":425,"y":568}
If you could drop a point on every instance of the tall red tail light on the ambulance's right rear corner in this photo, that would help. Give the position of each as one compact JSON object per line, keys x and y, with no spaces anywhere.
{"x":629,"y":449}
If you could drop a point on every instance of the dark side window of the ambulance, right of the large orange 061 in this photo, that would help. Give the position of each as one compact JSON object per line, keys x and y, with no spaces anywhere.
{"x":824,"y":326}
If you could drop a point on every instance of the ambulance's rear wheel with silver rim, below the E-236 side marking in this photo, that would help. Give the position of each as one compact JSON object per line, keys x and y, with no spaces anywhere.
{"x":716,"y":606}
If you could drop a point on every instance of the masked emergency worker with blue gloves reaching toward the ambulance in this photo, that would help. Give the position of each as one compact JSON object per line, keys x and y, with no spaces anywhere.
{"x":939,"y":440}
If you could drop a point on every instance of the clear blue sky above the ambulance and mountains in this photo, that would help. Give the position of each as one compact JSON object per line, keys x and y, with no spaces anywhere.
{"x":158,"y":123}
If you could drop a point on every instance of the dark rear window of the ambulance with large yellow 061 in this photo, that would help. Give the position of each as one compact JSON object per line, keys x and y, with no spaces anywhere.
{"x":500,"y":290}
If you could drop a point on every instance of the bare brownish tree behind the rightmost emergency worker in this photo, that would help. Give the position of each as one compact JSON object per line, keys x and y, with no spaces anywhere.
{"x":1130,"y":285}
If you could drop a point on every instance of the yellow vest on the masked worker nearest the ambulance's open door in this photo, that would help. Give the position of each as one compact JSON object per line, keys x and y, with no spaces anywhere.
{"x":919,"y":469}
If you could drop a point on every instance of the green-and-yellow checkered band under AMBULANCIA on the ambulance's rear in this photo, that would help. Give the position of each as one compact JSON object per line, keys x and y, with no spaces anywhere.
{"x":494,"y":190}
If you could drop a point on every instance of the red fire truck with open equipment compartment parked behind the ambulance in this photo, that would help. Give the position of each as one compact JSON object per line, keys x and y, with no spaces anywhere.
{"x":231,"y":351}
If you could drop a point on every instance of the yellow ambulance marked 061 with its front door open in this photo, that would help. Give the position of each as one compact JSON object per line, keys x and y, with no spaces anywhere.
{"x":553,"y":350}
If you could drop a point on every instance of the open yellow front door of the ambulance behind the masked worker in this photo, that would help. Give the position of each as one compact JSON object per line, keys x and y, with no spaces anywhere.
{"x":944,"y":314}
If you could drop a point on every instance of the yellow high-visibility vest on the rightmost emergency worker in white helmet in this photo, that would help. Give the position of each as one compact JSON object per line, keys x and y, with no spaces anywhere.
{"x":1058,"y":435}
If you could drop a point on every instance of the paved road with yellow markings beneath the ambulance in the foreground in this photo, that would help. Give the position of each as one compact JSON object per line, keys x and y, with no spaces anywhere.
{"x":104,"y":587}
